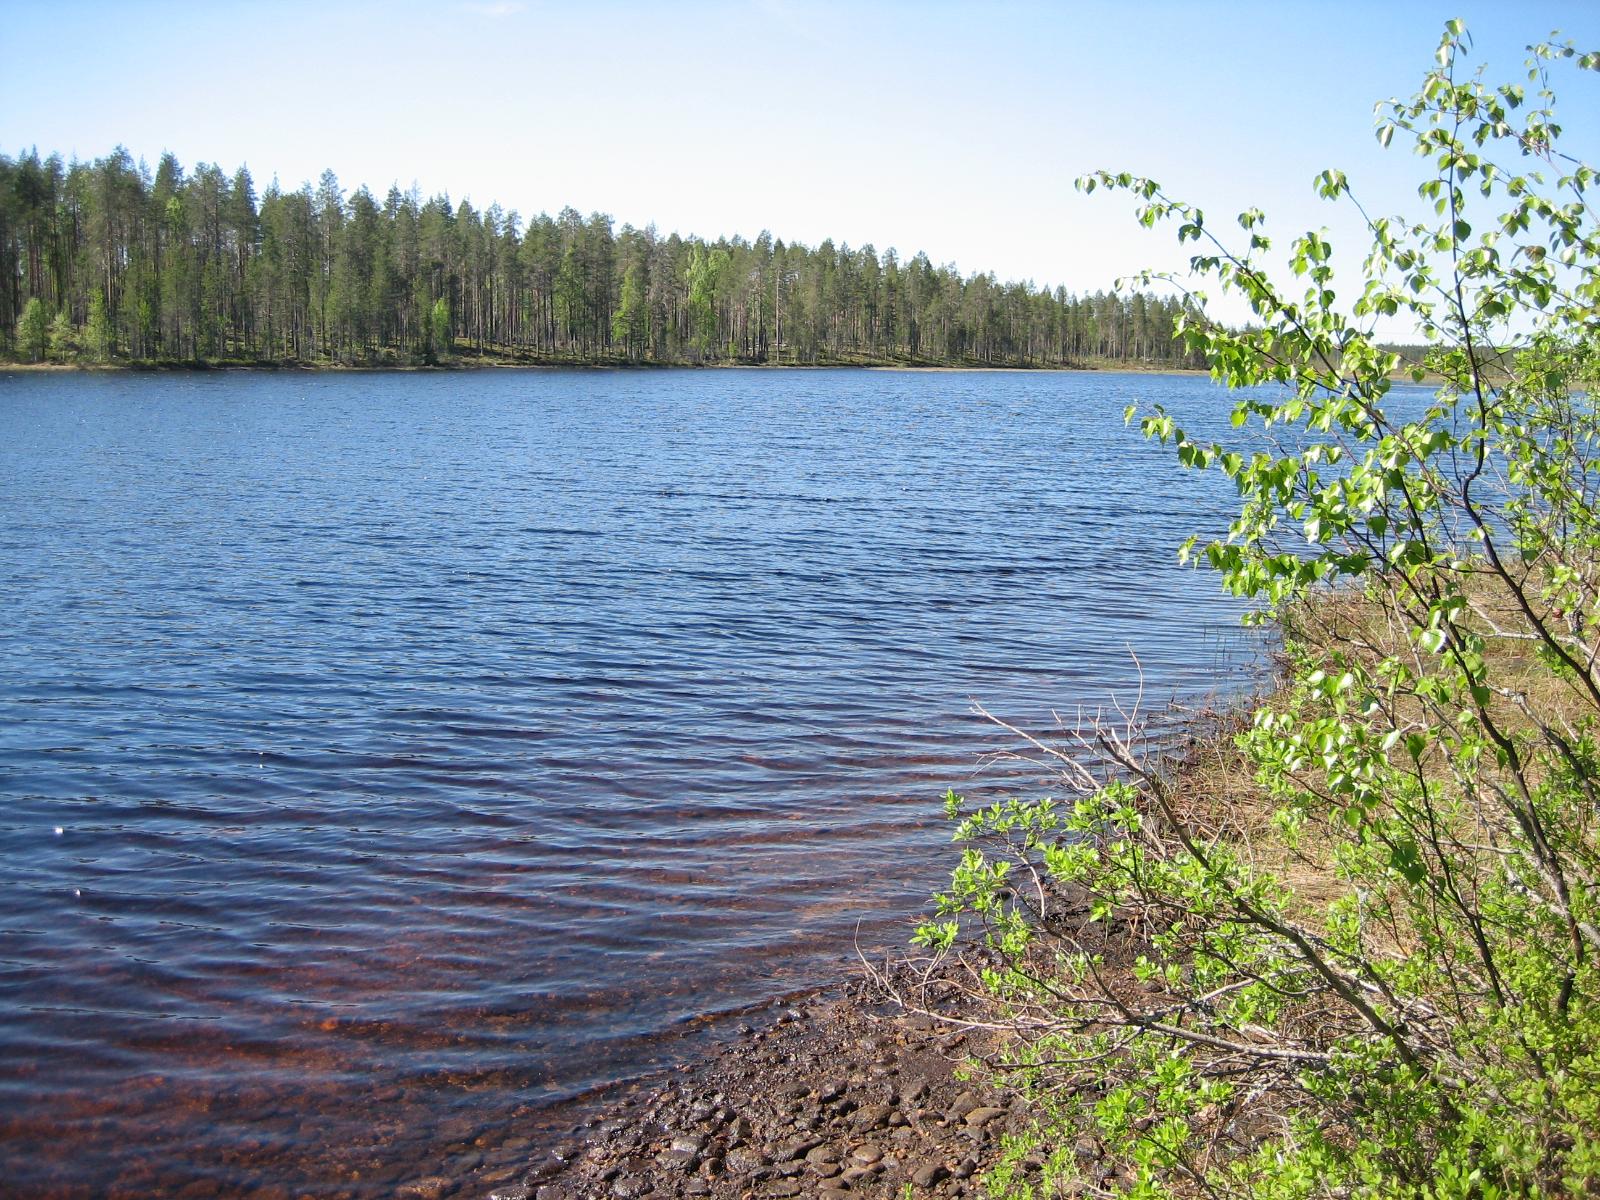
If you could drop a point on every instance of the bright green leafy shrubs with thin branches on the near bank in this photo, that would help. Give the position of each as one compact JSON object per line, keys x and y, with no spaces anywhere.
{"x":1425,"y":1023}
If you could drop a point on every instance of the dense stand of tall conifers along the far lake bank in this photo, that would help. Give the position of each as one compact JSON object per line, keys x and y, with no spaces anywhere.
{"x":111,"y":263}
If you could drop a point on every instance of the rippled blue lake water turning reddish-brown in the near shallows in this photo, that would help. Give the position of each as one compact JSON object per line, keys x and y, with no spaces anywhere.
{"x":386,"y":758}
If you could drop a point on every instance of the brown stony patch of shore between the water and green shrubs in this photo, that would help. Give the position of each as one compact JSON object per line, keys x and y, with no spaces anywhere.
{"x":838,"y":1097}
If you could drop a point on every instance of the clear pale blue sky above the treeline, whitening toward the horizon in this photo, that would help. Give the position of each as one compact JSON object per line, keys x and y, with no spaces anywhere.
{"x":953,"y":129}
